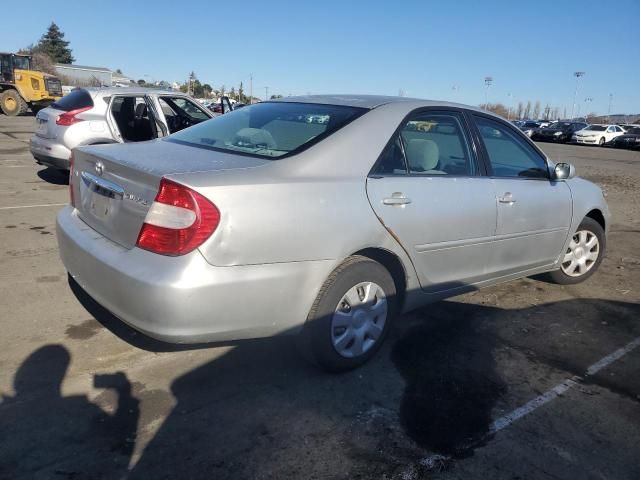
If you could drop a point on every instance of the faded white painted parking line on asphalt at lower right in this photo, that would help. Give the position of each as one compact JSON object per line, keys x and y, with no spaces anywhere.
{"x":543,"y":399}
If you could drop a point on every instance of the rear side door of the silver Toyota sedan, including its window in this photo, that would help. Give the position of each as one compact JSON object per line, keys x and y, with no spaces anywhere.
{"x":428,"y":191}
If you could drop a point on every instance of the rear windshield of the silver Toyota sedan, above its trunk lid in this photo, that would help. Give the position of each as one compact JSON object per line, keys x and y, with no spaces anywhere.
{"x":269,"y":129}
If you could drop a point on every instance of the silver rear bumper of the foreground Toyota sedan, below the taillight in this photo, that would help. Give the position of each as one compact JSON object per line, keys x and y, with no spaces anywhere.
{"x":185,"y":299}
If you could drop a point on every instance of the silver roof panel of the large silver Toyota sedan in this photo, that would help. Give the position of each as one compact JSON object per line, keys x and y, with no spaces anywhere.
{"x":371,"y":101}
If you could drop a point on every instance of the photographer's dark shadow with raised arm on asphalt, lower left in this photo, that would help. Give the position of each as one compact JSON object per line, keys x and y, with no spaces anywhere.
{"x":49,"y":435}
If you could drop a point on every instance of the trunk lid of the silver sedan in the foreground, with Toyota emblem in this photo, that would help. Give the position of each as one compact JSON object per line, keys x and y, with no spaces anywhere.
{"x":115,"y":185}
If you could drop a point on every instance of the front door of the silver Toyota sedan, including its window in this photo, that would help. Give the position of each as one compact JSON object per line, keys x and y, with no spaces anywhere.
{"x":534,"y":212}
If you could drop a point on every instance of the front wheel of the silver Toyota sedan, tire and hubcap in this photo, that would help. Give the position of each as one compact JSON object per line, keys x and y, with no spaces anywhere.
{"x":591,"y":229}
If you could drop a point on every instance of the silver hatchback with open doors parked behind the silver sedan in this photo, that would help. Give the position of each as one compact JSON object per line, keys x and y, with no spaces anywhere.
{"x":93,"y":116}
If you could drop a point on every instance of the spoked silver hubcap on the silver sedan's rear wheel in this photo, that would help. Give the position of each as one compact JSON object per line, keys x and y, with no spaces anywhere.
{"x":359,"y":319}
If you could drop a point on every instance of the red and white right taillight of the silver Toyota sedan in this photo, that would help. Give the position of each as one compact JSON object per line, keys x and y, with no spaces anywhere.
{"x":179,"y":220}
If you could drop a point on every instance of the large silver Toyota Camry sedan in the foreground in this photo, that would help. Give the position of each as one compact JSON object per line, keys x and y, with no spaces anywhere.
{"x":262,"y":223}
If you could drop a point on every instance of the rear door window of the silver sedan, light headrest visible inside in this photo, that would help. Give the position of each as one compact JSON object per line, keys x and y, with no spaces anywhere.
{"x":435,"y":144}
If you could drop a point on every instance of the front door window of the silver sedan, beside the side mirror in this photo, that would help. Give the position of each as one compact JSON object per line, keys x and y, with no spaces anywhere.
{"x":510,"y":155}
